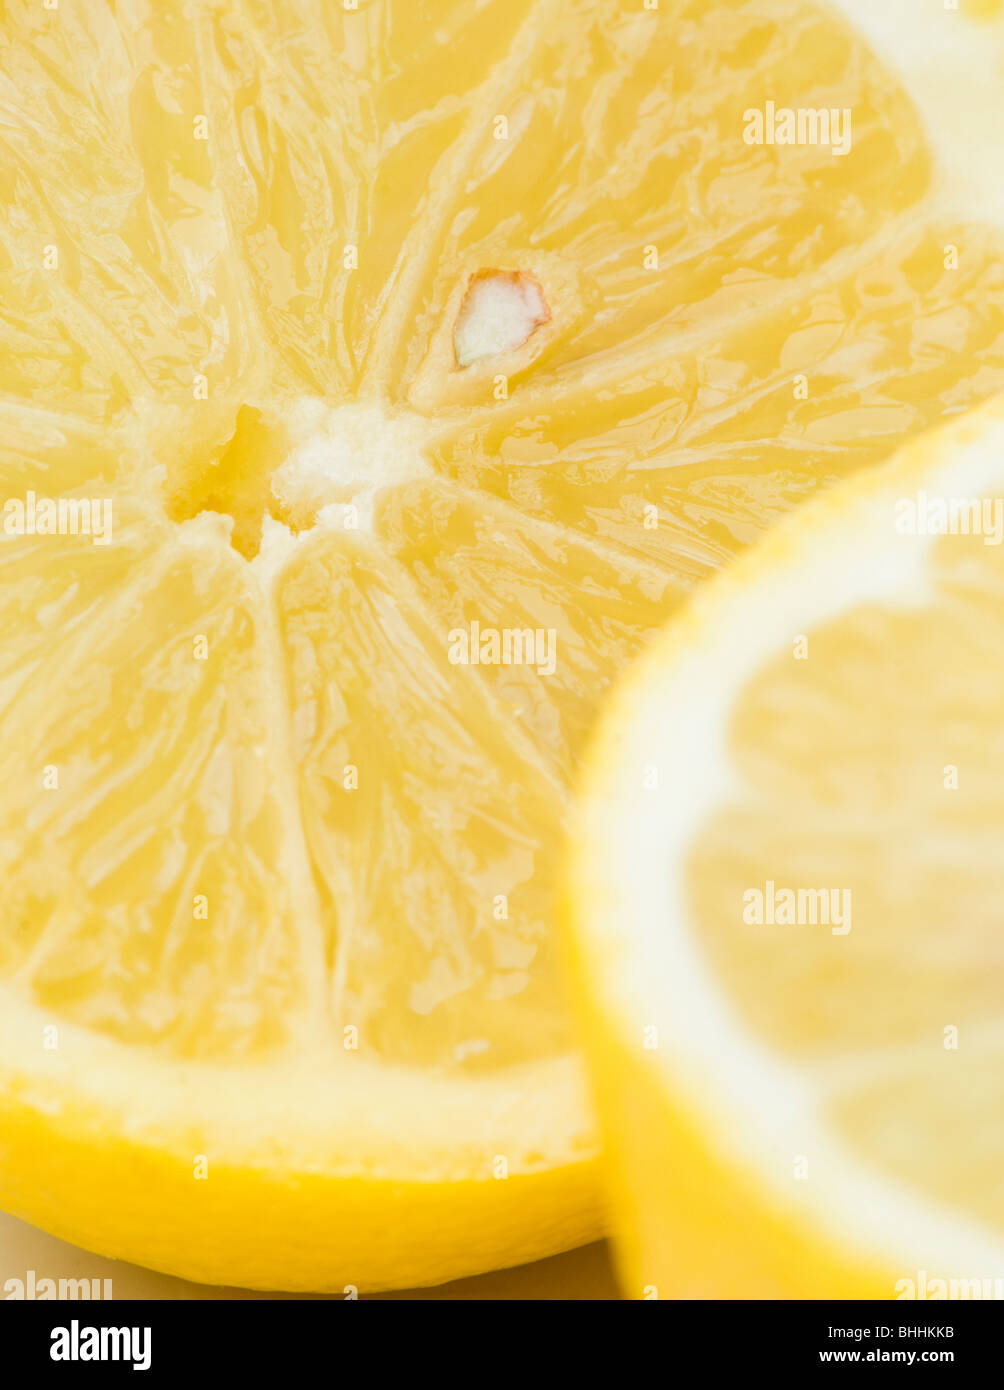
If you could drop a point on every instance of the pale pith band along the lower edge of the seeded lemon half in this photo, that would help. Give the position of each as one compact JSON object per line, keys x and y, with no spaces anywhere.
{"x":339,"y":1114}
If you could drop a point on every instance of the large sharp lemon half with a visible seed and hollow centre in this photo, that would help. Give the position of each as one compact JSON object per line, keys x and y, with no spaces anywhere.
{"x":375,"y":379}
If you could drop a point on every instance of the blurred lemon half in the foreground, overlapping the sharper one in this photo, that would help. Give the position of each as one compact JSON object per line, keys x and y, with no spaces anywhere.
{"x":788,"y":894}
